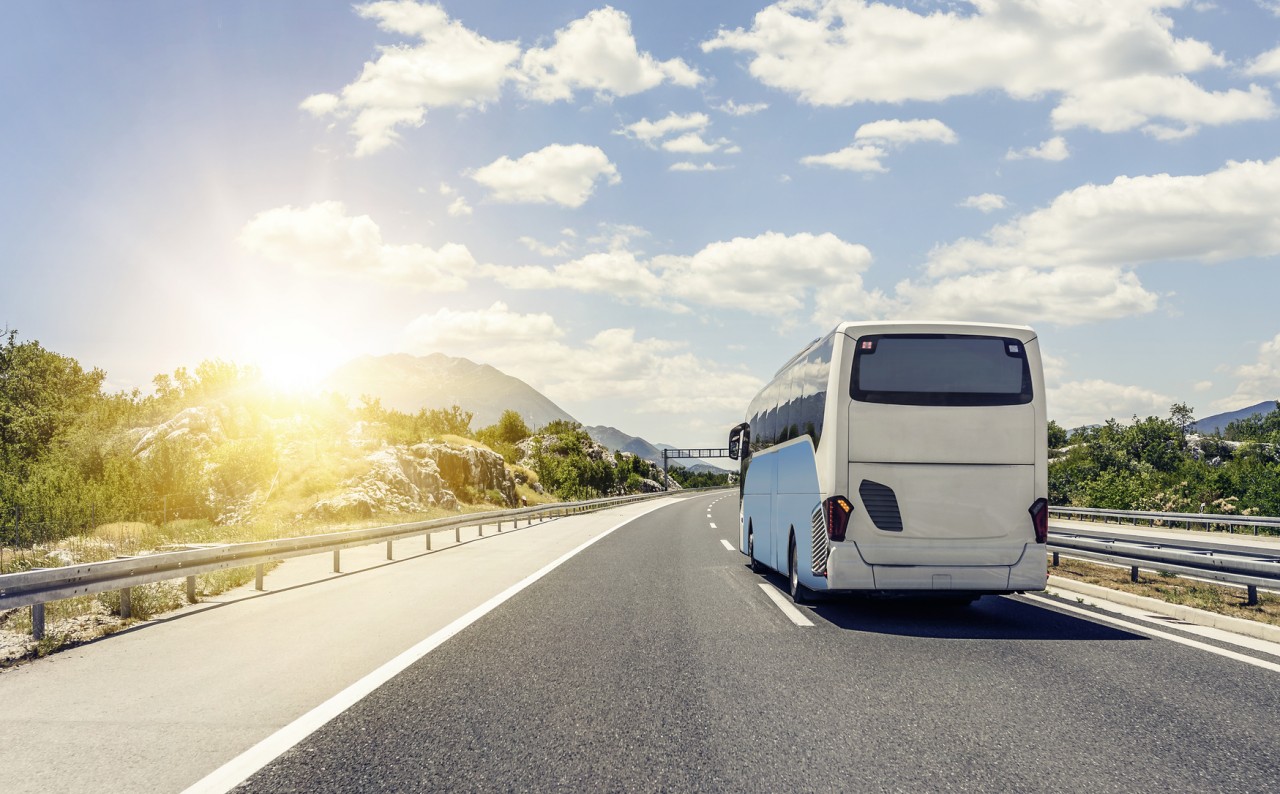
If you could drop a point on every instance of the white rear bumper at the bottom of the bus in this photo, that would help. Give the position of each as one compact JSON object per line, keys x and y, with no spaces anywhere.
{"x":848,"y":572}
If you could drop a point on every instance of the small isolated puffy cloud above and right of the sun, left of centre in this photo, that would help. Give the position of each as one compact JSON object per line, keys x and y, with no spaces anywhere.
{"x":556,"y":175}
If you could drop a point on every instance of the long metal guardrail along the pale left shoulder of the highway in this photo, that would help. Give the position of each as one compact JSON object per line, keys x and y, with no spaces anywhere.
{"x":39,"y":587}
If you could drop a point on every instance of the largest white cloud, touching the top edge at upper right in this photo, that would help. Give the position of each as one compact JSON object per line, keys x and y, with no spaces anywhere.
{"x":1112,"y":66}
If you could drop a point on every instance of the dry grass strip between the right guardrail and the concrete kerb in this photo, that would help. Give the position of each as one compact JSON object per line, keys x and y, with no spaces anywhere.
{"x":1174,"y":590}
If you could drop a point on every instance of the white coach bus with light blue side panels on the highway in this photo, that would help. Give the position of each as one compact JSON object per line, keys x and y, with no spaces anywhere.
{"x":900,"y":458}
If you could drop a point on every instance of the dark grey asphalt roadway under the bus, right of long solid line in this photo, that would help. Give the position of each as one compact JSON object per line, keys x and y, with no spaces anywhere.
{"x":653,"y":661}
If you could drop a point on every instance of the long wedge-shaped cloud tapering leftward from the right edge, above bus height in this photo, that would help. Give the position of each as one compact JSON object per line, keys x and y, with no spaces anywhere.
{"x":1222,"y":216}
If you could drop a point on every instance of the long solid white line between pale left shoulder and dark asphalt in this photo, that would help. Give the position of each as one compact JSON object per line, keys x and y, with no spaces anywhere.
{"x":240,"y":769}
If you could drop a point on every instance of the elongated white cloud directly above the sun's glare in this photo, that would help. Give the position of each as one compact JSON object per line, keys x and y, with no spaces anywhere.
{"x":323,"y":239}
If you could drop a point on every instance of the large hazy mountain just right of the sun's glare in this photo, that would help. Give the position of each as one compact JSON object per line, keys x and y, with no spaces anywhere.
{"x":410,"y":384}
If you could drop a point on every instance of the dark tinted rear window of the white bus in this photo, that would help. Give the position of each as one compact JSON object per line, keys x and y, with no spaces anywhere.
{"x":941,"y":371}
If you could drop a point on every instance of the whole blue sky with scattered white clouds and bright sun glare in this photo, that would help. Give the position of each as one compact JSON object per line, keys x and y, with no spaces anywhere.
{"x":644,"y":209}
